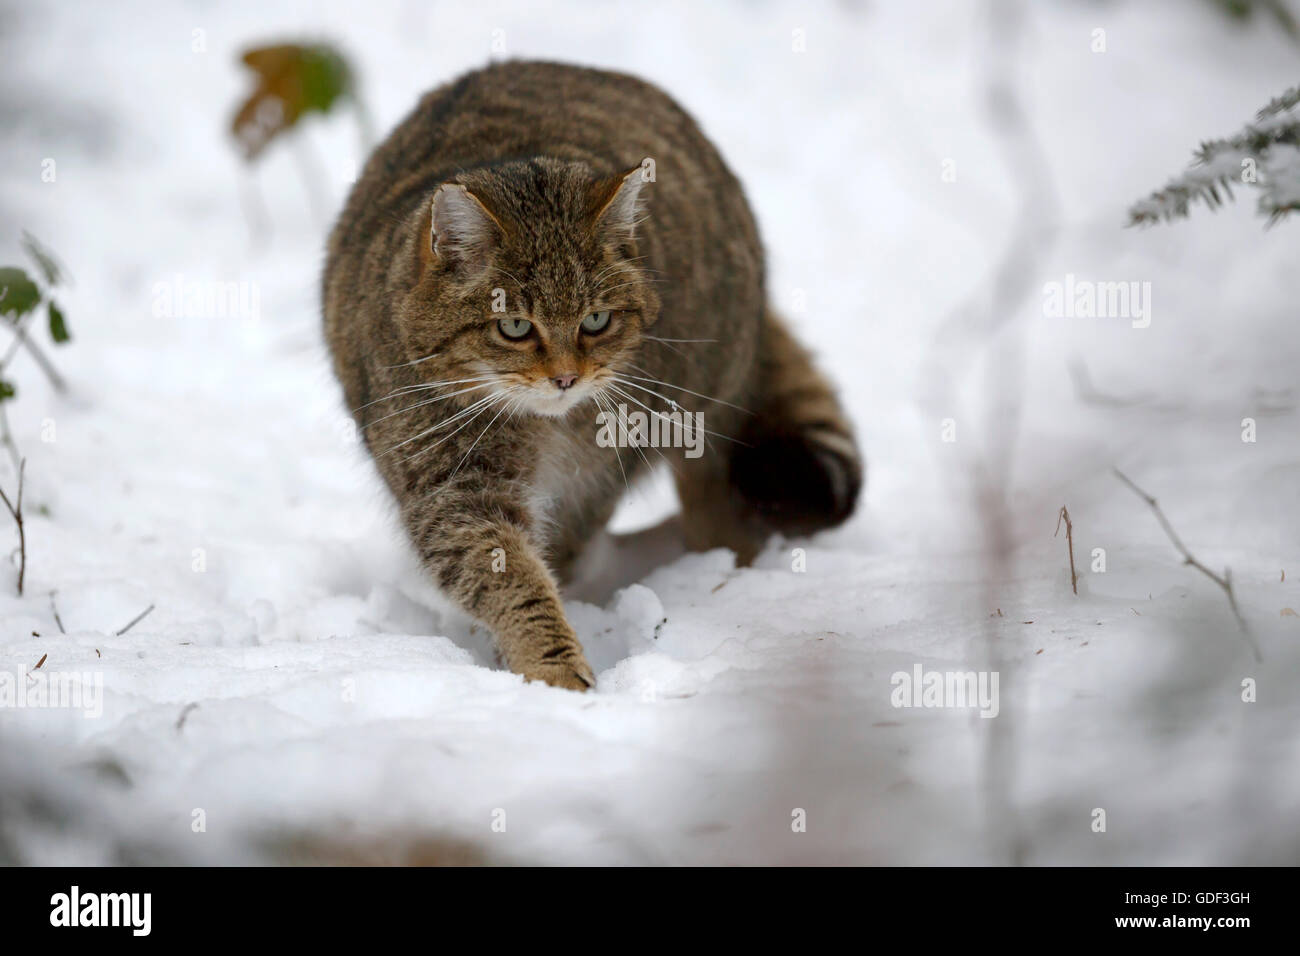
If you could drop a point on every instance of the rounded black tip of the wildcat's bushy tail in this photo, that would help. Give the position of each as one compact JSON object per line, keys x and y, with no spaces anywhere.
{"x":798,"y":485}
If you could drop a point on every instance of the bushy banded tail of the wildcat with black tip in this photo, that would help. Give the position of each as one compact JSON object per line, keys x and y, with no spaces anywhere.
{"x":799,"y":465}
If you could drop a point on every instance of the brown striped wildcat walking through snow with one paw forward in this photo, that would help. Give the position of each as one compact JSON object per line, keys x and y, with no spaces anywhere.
{"x":534,"y":246}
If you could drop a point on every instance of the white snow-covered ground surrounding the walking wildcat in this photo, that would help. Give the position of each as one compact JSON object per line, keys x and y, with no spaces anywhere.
{"x":305,"y":694}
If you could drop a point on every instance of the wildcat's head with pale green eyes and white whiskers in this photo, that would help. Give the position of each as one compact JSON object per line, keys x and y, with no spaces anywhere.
{"x":531,"y":283}
